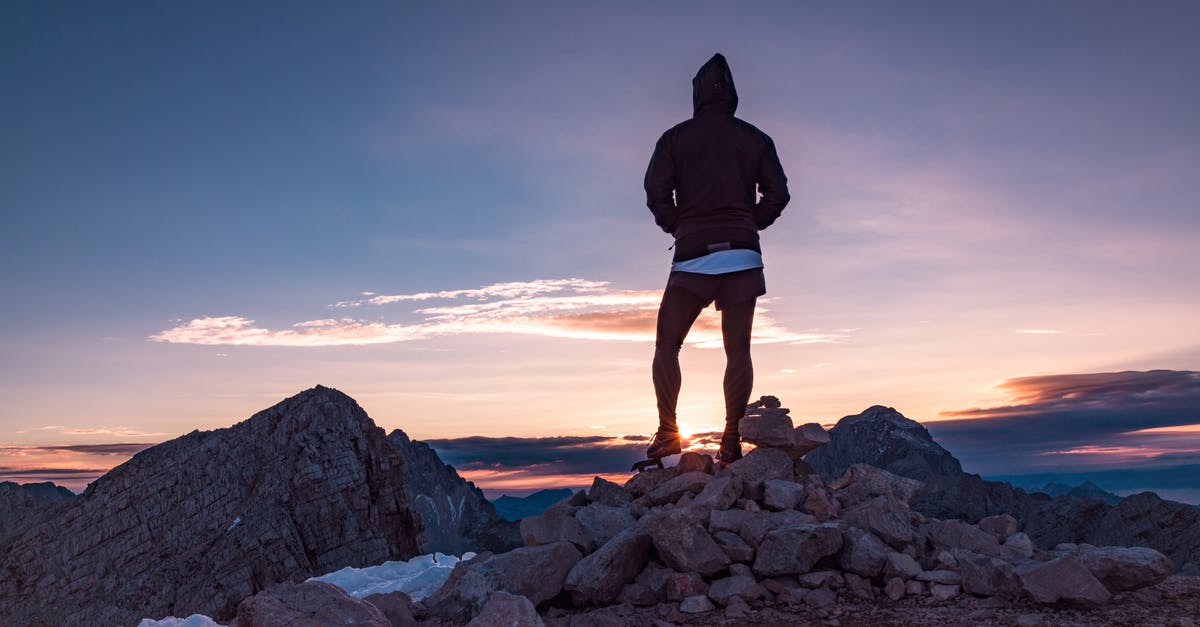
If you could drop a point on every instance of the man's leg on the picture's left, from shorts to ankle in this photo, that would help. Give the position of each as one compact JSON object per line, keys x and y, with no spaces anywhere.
{"x":677,"y":314}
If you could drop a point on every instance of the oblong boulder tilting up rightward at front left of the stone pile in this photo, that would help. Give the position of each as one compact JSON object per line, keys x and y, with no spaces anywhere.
{"x":598,"y":578}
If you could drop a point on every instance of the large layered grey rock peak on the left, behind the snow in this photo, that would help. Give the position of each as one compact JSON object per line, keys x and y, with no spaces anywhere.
{"x":202,"y":522}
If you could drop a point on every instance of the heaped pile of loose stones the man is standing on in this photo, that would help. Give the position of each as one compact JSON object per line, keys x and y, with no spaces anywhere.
{"x":766,"y":530}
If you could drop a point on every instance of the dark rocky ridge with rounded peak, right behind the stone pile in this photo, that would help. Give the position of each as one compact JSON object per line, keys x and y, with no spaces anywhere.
{"x":883,"y":438}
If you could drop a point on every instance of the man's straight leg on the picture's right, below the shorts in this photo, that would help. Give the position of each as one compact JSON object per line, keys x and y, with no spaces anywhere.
{"x":737,"y":323}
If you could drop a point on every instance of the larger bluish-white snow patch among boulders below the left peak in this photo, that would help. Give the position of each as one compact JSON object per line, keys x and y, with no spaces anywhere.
{"x":418,"y":578}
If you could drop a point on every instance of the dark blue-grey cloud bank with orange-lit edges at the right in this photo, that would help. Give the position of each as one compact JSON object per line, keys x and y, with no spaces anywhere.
{"x":1079,"y":422}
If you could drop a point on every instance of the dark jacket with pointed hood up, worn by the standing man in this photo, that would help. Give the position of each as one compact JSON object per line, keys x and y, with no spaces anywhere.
{"x":703,"y":178}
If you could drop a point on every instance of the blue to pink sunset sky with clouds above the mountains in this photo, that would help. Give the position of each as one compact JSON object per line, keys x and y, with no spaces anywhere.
{"x":437,"y":208}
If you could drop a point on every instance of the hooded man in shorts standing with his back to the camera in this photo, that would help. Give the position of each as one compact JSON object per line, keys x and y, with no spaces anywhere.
{"x":701,"y":187}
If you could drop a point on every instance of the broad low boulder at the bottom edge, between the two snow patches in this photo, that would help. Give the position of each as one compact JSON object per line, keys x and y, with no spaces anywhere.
{"x":309,"y":604}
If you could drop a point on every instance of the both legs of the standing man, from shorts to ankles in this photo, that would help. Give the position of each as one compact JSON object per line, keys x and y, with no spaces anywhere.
{"x":677,"y":314}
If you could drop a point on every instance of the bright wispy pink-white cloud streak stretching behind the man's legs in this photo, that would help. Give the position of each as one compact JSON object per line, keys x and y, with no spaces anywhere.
{"x":556,"y":308}
